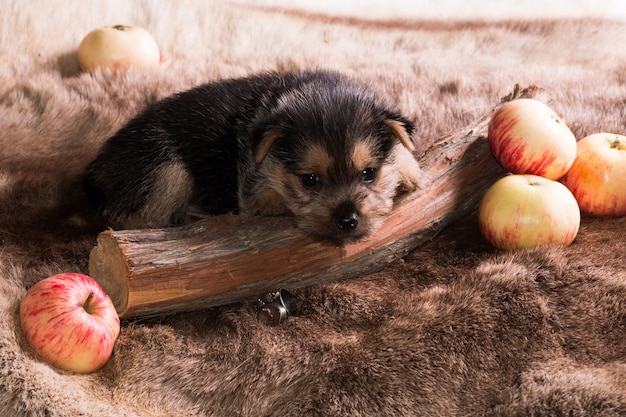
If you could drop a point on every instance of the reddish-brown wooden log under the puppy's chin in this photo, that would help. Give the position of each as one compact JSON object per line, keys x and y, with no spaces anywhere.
{"x":226,"y":258}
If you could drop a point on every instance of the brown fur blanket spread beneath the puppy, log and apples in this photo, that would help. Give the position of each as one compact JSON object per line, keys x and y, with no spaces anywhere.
{"x":454,"y":329}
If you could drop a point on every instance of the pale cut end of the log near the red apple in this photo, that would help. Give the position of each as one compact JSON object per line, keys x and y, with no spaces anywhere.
{"x":107,"y":266}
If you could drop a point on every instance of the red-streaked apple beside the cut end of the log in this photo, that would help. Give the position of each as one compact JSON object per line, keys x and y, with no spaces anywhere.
{"x":70,"y":321}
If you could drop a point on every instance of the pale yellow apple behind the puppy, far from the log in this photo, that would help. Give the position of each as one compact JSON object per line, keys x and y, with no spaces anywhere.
{"x":118,"y":47}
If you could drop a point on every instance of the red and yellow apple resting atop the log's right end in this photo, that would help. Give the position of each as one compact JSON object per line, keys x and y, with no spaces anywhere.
{"x":528,"y":137}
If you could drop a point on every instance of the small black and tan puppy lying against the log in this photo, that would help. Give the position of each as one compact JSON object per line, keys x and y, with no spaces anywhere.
{"x":313,"y":145}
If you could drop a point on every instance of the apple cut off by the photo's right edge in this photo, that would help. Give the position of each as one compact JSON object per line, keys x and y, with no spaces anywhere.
{"x":598,"y":176}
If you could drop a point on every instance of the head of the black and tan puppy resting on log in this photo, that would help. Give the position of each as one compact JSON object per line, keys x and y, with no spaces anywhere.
{"x":331,"y":155}
